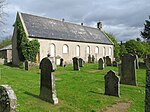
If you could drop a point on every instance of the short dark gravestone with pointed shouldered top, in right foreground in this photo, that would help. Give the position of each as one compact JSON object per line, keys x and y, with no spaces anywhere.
{"x":112,"y":84}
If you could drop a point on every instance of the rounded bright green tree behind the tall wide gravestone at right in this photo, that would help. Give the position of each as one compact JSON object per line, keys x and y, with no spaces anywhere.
{"x":133,"y":46}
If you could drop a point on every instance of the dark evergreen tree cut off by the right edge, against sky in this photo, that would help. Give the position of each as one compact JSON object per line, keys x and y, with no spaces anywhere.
{"x":146,"y":33}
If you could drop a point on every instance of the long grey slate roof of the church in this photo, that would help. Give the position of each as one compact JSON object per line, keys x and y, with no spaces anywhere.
{"x":41,"y":27}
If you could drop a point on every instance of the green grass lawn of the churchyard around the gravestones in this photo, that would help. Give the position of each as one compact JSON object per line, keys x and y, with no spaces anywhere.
{"x":77,"y":91}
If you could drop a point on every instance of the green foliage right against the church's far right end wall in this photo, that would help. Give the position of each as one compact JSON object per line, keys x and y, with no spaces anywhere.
{"x":116,"y":45}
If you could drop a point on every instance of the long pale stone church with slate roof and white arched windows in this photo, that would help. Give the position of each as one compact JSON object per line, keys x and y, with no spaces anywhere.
{"x":61,"y":39}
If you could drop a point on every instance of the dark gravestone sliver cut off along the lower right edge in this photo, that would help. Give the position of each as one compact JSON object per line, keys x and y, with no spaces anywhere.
{"x":147,"y":96}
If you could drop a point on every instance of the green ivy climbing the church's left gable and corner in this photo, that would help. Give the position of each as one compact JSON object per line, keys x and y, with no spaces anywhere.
{"x":27,"y":50}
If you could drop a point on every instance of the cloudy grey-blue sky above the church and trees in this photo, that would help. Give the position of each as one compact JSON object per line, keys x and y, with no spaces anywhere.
{"x":122,"y":18}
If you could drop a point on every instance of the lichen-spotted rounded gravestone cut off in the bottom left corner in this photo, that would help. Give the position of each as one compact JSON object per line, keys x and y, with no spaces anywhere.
{"x":8,"y":100}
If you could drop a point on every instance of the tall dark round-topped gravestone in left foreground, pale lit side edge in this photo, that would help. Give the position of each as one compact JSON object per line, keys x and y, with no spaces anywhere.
{"x":47,"y":85}
